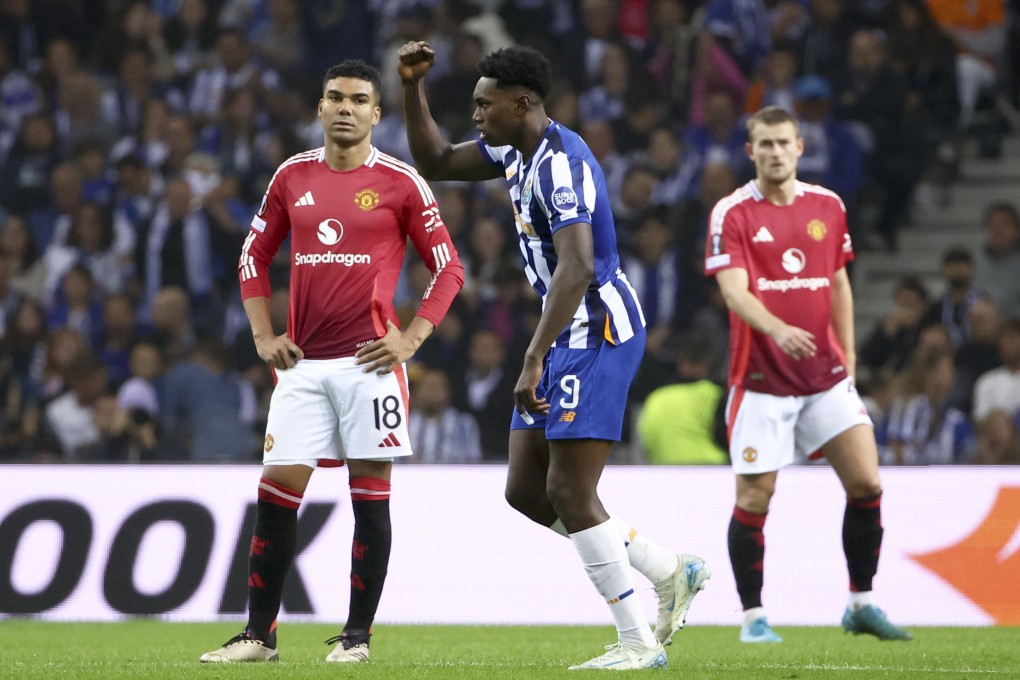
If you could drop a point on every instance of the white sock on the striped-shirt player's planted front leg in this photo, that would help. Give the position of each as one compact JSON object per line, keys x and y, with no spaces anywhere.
{"x":605,"y":560}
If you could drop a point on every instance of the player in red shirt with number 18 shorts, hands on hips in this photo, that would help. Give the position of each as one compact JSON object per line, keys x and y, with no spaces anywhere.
{"x":341,"y":394}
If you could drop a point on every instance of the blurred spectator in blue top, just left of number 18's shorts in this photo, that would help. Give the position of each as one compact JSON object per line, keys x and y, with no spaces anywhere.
{"x":208,"y":410}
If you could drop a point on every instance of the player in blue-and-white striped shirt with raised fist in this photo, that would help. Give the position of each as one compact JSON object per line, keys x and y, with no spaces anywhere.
{"x":572,"y":394}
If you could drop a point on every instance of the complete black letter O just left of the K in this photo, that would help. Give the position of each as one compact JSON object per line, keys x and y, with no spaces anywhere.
{"x":119,"y":581}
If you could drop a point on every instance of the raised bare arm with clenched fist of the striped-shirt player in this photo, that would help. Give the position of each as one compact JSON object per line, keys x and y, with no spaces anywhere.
{"x":435,"y":158}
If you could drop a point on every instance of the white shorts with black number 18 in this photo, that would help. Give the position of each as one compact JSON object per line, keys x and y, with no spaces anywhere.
{"x":324,"y":412}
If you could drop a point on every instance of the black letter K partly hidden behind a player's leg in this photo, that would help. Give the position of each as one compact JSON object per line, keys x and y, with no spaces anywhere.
{"x":311,"y":522}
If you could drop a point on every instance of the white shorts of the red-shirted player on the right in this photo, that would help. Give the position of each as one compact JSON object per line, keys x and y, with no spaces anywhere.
{"x":768,"y":433}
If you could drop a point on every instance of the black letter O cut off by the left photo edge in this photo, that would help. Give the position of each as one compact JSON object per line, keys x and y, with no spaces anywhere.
{"x":76,"y":530}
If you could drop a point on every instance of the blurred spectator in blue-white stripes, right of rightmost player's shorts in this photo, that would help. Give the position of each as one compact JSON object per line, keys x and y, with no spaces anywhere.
{"x":924,"y":429}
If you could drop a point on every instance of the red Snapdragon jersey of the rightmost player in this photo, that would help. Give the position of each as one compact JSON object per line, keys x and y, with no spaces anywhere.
{"x":791,"y":254}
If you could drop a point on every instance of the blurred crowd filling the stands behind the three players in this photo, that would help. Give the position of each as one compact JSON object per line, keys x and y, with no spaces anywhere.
{"x":137,"y":140}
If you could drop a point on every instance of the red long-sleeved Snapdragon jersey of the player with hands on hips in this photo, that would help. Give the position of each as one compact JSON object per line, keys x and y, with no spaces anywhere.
{"x":348,"y":235}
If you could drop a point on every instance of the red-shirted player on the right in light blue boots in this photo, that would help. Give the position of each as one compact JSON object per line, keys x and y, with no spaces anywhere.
{"x":779,"y":249}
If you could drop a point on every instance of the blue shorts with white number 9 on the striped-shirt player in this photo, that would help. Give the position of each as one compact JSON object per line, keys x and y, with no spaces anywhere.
{"x":587,"y":391}
